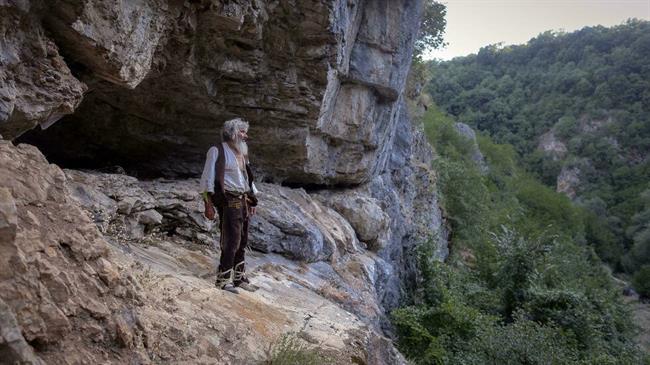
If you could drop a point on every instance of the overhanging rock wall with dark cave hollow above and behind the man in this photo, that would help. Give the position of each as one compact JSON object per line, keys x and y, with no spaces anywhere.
{"x":320,"y":82}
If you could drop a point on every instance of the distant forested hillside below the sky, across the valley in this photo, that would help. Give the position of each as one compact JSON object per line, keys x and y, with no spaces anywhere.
{"x":587,"y":94}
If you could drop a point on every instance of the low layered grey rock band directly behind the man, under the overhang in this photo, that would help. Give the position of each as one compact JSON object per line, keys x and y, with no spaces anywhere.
{"x":289,"y":221}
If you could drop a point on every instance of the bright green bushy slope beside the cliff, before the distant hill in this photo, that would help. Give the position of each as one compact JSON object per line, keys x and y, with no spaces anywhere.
{"x":520,"y":286}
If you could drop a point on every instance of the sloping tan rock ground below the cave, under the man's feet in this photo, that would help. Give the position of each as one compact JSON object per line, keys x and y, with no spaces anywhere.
{"x":72,"y":294}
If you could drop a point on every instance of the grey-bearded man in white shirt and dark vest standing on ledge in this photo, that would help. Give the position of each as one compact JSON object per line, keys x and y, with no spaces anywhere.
{"x":227,"y":183}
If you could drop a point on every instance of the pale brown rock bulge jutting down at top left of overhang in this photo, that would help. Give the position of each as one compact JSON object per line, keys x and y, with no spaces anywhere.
{"x":115,"y":41}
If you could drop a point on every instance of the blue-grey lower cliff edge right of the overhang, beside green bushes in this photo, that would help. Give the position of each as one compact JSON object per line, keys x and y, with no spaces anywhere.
{"x":408,"y":194}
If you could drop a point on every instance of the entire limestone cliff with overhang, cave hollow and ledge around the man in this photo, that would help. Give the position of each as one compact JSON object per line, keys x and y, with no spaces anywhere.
{"x":147,"y":84}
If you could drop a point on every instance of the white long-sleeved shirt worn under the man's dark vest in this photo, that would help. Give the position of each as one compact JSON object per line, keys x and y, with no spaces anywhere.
{"x":234,"y":179}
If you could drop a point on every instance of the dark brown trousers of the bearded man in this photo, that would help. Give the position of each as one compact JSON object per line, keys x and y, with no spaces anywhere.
{"x":233,"y":219}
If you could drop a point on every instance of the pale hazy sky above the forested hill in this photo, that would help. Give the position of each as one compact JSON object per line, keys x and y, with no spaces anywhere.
{"x":472,"y":24}
